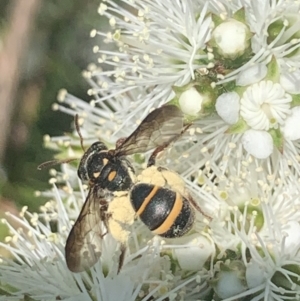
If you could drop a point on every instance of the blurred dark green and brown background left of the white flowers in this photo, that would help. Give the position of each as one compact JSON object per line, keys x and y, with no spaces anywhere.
{"x":44,"y":46}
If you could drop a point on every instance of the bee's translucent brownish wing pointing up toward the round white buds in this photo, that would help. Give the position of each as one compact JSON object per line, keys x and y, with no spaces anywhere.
{"x":160,"y":127}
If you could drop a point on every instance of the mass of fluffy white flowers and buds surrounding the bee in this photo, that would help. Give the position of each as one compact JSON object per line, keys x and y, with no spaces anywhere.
{"x":233,"y":69}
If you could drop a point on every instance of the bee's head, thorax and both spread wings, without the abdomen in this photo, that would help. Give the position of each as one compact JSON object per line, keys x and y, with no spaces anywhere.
{"x":110,"y":176}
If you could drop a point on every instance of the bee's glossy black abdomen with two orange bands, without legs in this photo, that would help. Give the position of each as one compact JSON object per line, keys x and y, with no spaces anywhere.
{"x":165,"y":212}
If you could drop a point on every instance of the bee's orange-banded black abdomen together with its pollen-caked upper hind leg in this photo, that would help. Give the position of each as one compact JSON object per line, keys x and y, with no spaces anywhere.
{"x":162,"y":202}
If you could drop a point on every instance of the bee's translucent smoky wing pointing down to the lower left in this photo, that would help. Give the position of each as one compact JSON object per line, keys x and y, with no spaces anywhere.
{"x":84,"y":243}
